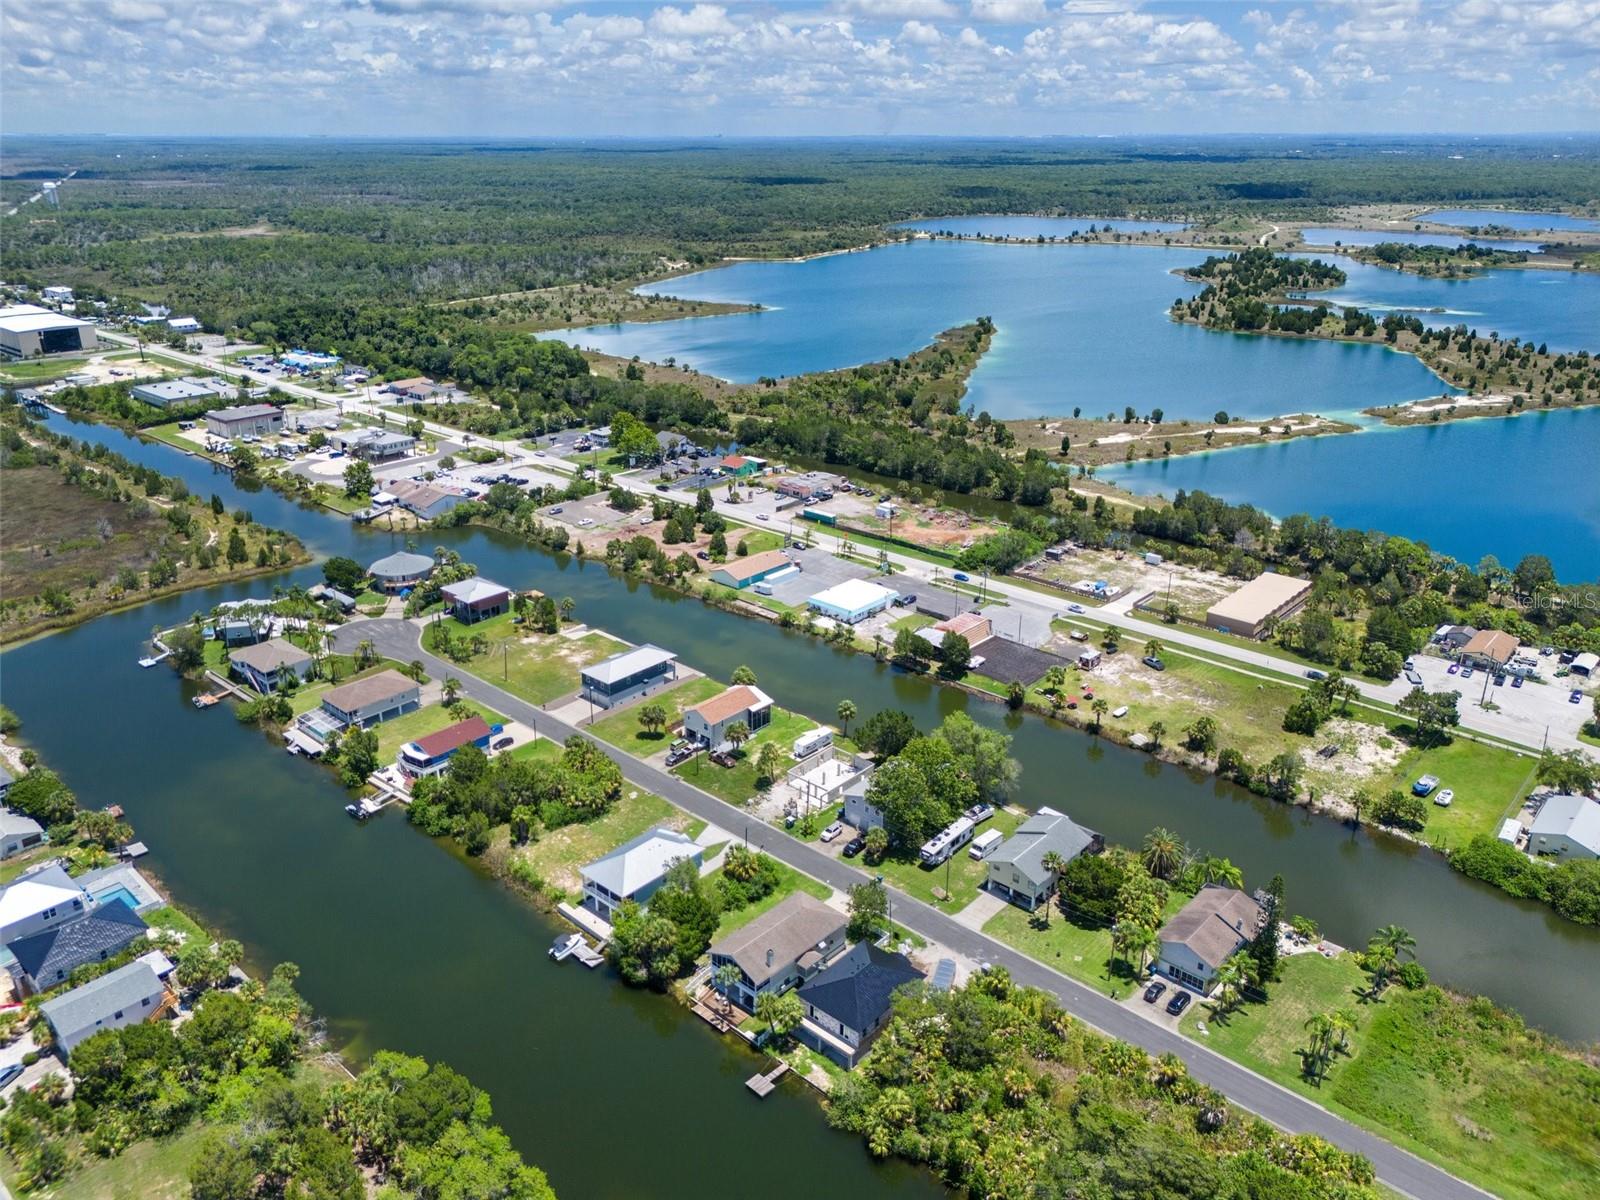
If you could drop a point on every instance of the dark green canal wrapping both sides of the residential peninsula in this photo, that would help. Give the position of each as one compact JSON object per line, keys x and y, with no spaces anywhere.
{"x":390,"y":927}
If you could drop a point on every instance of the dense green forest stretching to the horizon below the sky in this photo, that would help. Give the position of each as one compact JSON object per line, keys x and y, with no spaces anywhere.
{"x":220,"y":226}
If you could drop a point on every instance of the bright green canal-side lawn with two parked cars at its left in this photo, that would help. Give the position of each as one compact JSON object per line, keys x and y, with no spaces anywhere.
{"x":1489,"y":783}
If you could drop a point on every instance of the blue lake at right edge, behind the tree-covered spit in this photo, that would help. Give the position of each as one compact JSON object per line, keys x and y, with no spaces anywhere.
{"x":1558,"y":308}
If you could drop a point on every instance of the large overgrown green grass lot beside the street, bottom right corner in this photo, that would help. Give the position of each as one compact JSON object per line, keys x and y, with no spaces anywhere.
{"x":1446,"y":1078}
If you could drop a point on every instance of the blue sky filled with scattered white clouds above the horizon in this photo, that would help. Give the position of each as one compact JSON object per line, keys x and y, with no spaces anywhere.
{"x":545,"y":68}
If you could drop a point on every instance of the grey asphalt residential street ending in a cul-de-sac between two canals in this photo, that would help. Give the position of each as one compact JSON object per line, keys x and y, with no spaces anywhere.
{"x":1398,"y":1169}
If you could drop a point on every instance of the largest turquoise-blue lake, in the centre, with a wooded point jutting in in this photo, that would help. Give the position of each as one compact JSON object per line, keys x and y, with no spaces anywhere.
{"x":1079,"y":327}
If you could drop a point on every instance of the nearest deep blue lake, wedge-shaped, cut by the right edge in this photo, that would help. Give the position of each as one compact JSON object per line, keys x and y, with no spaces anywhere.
{"x":1503,"y":487}
